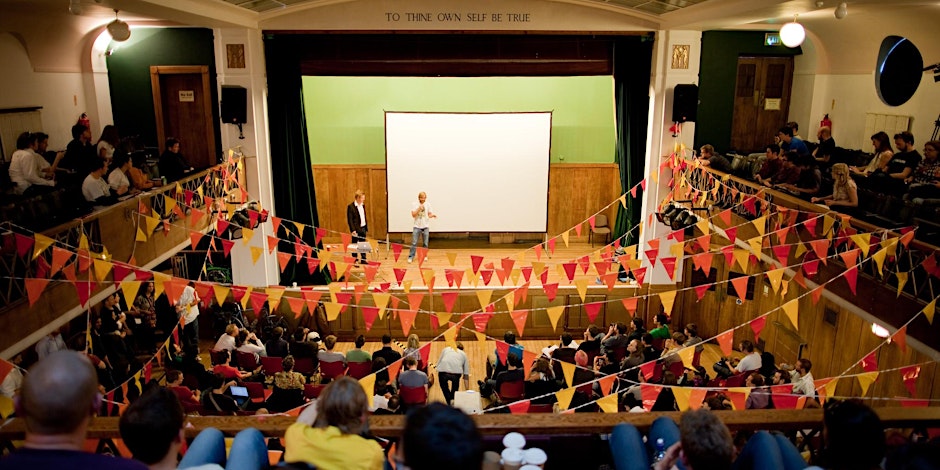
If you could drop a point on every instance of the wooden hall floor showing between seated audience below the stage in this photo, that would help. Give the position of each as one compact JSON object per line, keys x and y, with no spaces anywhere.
{"x":477,"y":353}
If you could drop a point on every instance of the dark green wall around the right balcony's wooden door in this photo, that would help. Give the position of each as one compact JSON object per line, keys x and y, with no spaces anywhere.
{"x":717,"y":76}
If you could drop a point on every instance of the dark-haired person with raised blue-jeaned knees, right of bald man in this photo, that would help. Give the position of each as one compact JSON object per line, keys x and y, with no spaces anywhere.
{"x":152,"y":429}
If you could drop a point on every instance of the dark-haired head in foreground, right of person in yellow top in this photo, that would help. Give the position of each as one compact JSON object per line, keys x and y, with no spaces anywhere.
{"x":440,"y":437}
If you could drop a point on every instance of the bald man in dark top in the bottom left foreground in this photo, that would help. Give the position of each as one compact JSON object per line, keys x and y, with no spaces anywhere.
{"x":58,"y":400}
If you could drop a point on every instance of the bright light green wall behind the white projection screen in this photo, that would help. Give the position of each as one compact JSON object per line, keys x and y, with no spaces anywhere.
{"x":346,"y":115}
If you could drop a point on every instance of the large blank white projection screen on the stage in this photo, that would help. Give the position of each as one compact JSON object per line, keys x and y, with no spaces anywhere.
{"x":482,"y":172}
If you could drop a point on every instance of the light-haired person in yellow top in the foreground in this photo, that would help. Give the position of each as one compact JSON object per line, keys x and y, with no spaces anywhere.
{"x":329,"y":435}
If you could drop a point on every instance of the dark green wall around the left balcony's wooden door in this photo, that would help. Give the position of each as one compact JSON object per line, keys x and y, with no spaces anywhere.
{"x":129,"y":75}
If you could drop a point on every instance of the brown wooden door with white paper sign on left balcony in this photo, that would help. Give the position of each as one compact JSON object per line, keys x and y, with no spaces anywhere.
{"x":183,"y":106}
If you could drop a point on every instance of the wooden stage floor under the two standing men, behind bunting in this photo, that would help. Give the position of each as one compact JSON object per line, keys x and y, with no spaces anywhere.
{"x":493,"y":254}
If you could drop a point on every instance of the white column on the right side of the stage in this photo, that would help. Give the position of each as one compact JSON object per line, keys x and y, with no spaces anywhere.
{"x":660,"y":142}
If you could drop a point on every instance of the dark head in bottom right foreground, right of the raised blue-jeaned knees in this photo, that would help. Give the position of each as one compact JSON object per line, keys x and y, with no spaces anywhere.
{"x":853,"y":437}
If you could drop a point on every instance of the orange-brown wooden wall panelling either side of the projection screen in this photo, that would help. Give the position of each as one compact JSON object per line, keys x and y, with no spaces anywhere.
{"x":576,"y":191}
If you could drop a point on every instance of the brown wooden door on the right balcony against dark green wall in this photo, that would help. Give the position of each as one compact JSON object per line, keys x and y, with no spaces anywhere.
{"x":761,"y":101}
